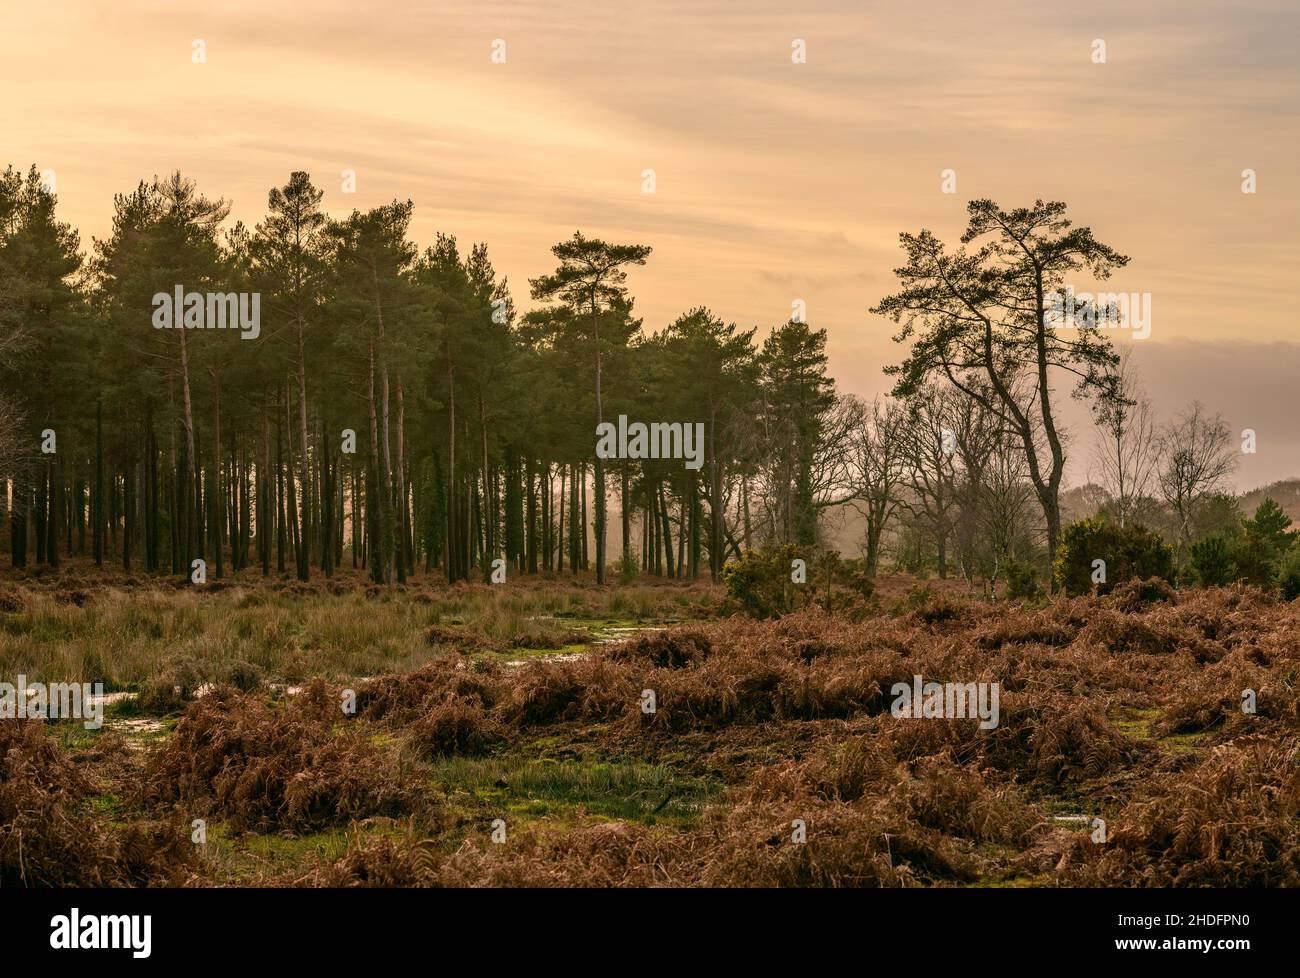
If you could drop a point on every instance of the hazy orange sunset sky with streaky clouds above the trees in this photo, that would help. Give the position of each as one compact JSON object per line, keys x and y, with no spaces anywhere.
{"x":775,"y":180}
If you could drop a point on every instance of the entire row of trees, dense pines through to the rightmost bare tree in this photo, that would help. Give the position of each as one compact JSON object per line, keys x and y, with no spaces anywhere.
{"x":397,"y":412}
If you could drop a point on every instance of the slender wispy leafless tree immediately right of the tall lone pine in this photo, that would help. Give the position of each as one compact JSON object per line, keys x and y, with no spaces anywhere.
{"x":1128,"y":453}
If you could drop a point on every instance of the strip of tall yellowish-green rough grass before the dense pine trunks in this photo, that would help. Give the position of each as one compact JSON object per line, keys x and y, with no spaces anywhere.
{"x":122,"y":637}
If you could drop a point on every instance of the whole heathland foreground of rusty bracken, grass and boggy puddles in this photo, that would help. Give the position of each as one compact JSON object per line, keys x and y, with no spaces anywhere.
{"x":500,"y":735}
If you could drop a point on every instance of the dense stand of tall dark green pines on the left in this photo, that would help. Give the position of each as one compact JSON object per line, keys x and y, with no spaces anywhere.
{"x":393,"y":412}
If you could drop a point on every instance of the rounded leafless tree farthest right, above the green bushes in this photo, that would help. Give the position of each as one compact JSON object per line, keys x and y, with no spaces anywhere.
{"x":1198,"y":458}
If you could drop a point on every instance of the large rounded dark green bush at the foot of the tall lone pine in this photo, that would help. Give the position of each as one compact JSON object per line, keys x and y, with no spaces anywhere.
{"x":1129,"y":552}
